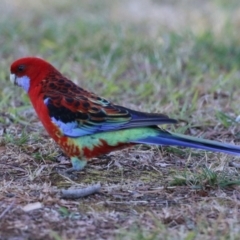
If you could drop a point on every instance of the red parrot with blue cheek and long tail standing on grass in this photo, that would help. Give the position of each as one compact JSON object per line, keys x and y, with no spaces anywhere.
{"x":85,"y":125}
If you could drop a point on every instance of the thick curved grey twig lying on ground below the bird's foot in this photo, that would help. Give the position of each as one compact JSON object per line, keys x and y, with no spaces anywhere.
{"x":74,"y":193}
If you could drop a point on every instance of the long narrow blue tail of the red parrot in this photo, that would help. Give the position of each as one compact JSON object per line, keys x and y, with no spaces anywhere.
{"x":169,"y":138}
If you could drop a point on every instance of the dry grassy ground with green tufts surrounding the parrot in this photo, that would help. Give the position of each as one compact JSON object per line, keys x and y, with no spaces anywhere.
{"x":180,"y":58}
